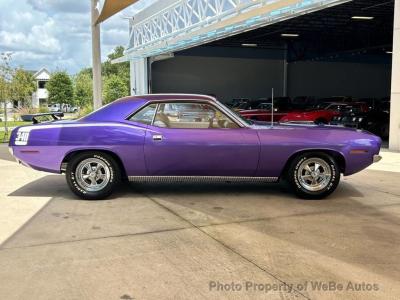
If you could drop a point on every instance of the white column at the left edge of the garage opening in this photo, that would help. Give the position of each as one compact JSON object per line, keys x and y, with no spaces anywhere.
{"x":139,"y":76}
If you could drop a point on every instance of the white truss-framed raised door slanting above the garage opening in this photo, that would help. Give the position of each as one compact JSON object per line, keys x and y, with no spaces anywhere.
{"x":174,"y":25}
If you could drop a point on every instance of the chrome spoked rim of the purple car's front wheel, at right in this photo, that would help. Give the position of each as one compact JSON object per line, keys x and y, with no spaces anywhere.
{"x":314,"y":174}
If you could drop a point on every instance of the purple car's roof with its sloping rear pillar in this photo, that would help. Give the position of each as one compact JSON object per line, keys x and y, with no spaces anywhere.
{"x":120,"y":109}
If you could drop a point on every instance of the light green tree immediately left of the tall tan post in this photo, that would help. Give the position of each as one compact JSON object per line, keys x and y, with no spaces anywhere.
{"x":83,"y":87}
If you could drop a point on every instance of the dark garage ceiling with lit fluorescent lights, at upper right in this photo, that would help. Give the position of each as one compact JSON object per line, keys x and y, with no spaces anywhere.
{"x":328,"y":33}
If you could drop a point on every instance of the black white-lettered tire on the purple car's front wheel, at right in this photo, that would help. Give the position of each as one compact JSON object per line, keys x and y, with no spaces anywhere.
{"x":296,"y":167}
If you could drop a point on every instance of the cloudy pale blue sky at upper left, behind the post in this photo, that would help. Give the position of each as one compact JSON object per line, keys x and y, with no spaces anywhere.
{"x":56,"y":34}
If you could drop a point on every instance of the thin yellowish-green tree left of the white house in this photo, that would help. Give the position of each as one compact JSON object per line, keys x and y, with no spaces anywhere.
{"x":22,"y":85}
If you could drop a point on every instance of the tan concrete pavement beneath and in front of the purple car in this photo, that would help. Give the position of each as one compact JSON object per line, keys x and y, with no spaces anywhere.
{"x":194,"y":241}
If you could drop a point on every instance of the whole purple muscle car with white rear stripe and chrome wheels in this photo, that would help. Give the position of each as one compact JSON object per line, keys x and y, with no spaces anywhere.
{"x":175,"y":137}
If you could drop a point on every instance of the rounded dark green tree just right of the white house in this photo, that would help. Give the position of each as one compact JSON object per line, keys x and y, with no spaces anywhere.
{"x":60,"y":88}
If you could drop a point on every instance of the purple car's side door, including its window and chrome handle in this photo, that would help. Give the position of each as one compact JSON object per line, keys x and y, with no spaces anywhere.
{"x":197,"y":139}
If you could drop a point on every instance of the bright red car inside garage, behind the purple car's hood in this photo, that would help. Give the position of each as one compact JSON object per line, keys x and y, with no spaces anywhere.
{"x":324,"y":114}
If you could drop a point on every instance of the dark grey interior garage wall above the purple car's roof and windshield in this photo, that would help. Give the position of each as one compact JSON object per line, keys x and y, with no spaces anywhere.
{"x":226,"y":77}
